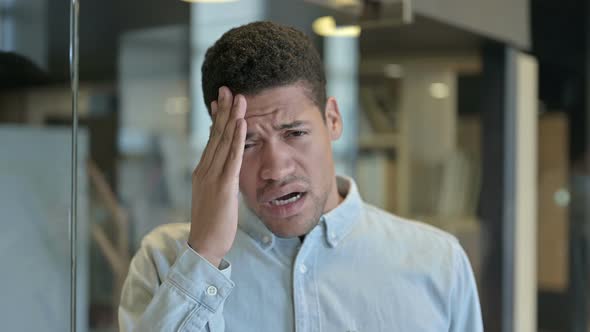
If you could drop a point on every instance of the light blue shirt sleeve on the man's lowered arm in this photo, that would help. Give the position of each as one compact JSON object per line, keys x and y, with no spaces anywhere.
{"x":465,"y":307}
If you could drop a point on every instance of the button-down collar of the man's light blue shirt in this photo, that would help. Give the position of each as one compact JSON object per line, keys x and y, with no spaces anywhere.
{"x":338,"y":222}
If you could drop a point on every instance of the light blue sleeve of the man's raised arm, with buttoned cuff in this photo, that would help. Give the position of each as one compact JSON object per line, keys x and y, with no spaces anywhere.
{"x":190,"y":297}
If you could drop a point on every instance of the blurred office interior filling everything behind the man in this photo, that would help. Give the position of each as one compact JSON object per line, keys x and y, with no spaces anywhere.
{"x":471,"y":115}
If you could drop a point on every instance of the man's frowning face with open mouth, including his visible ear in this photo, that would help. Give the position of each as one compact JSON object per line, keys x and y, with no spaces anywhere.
{"x":287,"y":176}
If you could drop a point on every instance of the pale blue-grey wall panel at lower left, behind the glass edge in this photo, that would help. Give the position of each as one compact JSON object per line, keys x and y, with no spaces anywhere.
{"x":34,"y":243}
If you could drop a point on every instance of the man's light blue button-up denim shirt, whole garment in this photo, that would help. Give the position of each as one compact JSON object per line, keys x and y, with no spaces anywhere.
{"x":360,"y":269}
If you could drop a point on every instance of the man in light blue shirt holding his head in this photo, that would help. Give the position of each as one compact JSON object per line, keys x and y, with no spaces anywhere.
{"x":307,"y":253}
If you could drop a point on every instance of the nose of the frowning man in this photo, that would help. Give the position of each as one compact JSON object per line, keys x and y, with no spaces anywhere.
{"x":276,"y":162}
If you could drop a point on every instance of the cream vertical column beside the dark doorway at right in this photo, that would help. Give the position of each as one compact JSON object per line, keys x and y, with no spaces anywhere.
{"x":521,"y":181}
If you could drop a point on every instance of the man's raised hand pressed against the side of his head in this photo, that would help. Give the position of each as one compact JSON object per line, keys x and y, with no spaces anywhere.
{"x":215,"y":180}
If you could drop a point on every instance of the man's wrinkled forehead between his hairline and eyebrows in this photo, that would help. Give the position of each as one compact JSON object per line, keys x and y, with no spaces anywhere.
{"x":280,"y":103}
